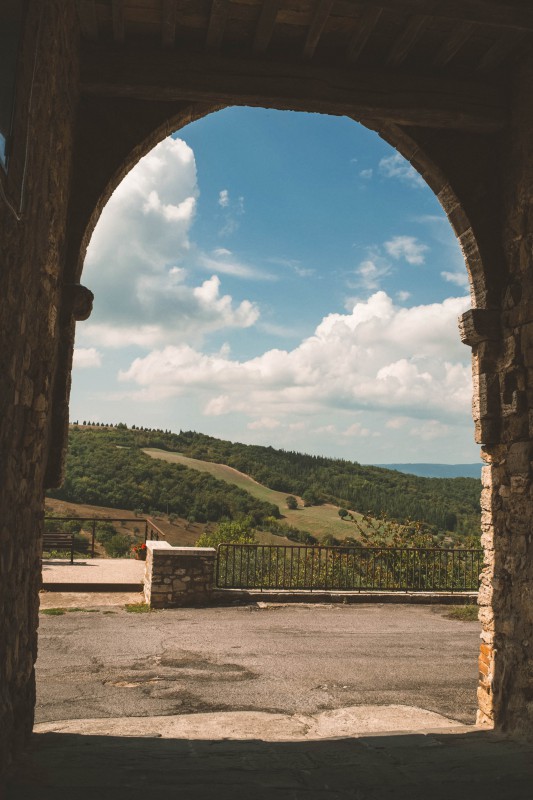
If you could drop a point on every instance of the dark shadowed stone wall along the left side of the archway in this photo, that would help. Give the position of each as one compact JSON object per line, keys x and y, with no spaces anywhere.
{"x":33,"y":207}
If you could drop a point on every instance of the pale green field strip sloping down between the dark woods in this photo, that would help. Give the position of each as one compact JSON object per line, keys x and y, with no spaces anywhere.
{"x":318,"y":520}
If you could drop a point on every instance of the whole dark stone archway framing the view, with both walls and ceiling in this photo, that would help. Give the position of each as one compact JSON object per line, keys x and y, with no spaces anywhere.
{"x":469,"y":137}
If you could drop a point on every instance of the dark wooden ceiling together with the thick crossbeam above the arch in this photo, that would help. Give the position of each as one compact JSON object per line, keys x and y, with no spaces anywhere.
{"x":440,"y":63}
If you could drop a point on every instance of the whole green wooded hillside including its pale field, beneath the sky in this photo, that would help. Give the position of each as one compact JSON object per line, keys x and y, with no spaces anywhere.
{"x":106,"y":466}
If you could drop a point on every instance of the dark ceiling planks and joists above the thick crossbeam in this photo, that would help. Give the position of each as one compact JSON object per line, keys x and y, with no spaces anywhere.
{"x":439,"y":36}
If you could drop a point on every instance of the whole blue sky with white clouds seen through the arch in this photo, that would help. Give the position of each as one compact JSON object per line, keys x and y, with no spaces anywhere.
{"x":279,"y":278}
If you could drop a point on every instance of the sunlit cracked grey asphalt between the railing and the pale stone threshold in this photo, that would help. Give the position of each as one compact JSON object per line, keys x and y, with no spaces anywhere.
{"x":282,"y":659}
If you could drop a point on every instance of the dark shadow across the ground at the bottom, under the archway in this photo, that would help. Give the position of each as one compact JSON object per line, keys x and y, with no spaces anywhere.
{"x":475,"y":765}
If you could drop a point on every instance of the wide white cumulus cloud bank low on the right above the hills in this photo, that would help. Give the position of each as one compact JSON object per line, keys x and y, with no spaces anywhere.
{"x":408,"y":362}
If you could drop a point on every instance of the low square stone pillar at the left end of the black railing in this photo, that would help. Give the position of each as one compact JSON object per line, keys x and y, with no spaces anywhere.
{"x":178,"y":576}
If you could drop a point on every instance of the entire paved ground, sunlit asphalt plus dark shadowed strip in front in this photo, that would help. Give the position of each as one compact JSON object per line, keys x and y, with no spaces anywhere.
{"x":308,"y":687}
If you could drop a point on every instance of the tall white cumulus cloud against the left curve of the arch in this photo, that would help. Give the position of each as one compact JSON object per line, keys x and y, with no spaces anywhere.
{"x":141,"y":262}
